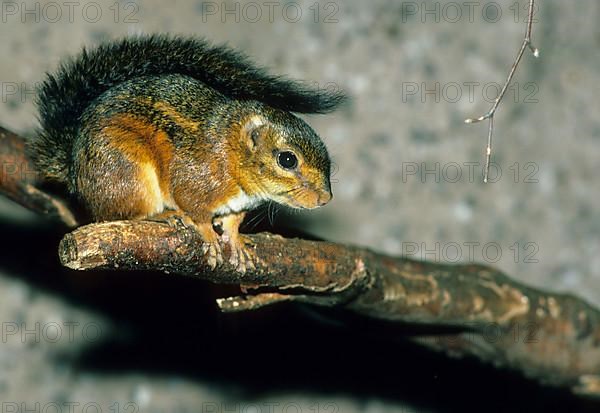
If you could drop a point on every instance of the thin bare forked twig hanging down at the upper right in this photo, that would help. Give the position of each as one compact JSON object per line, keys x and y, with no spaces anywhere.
{"x":490,"y":114}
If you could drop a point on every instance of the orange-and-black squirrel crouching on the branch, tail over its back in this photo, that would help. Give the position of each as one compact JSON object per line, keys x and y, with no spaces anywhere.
{"x":168,"y":127}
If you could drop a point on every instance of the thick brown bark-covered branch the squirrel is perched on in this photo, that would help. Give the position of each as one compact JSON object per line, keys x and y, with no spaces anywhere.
{"x":553,"y":338}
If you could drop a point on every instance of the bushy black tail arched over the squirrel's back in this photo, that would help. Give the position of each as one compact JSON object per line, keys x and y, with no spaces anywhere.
{"x":65,"y":95}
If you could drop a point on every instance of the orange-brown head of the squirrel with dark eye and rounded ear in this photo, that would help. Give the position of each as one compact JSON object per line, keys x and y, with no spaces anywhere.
{"x":290,"y":163}
